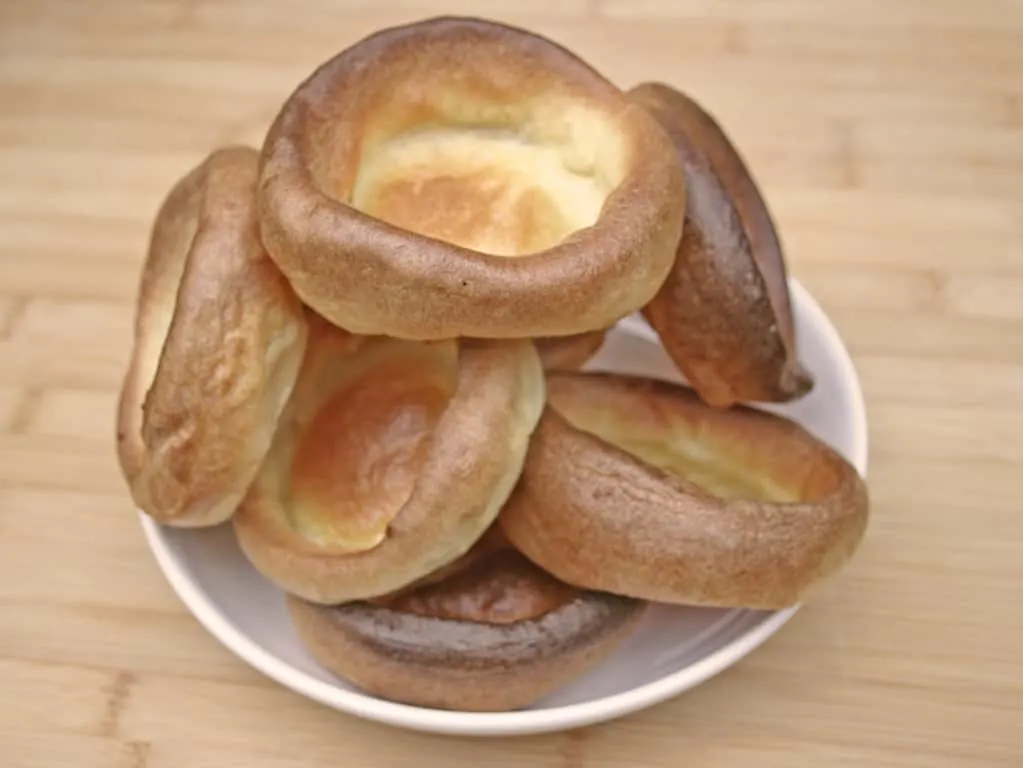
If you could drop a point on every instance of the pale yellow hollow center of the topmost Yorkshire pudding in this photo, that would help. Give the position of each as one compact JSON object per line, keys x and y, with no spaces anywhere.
{"x":492,"y":191}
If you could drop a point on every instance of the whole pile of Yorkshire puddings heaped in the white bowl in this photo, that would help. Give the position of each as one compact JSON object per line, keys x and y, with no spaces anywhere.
{"x":364,"y":345}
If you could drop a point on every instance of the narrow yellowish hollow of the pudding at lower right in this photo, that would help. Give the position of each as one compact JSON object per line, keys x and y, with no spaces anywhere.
{"x":720,"y":462}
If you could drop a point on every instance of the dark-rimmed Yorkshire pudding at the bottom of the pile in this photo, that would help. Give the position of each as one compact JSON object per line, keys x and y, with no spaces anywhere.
{"x":497,"y":636}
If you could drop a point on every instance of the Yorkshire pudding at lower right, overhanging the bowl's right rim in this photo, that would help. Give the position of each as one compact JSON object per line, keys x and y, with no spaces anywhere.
{"x":637,"y":487}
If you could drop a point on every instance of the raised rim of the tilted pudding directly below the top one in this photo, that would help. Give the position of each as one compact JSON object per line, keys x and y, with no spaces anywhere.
{"x":475,"y":458}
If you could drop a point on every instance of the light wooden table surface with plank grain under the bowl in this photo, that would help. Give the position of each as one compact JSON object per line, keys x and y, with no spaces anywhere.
{"x":889,"y":140}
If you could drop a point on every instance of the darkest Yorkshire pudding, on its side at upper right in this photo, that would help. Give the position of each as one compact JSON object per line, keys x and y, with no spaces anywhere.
{"x":725,"y":314}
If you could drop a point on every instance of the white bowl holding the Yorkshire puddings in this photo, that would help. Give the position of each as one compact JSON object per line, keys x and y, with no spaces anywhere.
{"x":674,"y":650}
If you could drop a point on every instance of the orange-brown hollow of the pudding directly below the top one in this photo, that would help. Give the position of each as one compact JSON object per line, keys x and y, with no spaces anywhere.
{"x":357,"y":464}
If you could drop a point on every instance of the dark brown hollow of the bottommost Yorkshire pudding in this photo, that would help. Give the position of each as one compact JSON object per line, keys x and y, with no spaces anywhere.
{"x":503,"y":589}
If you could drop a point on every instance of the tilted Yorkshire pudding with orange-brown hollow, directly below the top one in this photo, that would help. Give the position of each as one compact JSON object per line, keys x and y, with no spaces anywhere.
{"x":392,"y":459}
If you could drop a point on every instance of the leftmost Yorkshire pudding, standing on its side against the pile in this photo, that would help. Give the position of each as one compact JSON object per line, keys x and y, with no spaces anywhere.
{"x":219,"y":339}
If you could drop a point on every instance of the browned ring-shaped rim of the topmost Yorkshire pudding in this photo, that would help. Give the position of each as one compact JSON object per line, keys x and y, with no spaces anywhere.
{"x":371,"y":278}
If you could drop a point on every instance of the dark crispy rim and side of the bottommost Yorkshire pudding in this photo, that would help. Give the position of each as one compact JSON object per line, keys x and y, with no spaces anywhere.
{"x":462,"y":665}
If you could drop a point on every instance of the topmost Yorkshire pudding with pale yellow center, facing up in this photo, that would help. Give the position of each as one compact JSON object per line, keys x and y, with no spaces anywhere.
{"x":459,"y":177}
